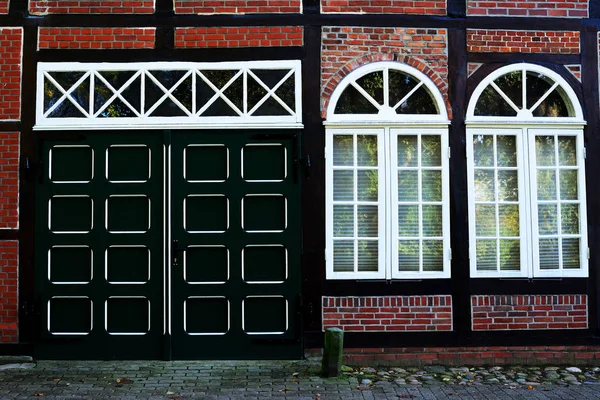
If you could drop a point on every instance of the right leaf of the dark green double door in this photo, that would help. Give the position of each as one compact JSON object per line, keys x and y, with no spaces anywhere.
{"x":236,"y":235}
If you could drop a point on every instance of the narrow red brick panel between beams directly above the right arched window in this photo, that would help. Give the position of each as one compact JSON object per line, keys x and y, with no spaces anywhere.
{"x":506,"y":41}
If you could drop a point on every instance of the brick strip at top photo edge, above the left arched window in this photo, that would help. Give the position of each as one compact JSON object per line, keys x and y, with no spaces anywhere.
{"x":421,"y":7}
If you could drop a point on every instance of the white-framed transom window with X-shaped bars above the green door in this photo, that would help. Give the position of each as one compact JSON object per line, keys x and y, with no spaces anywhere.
{"x":169,"y":94}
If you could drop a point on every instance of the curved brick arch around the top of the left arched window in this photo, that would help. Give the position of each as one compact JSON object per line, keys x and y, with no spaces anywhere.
{"x":333,"y":82}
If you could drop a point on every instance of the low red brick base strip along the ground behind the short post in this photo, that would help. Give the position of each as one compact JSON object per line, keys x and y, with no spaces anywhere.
{"x":489,"y":355}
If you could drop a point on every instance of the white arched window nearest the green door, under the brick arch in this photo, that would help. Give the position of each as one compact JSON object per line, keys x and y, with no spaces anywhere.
{"x":387,"y":183}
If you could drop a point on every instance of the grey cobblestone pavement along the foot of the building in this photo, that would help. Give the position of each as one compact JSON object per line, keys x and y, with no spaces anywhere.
{"x":241,"y":380}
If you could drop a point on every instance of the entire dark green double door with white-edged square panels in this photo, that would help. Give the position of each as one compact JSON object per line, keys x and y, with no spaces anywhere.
{"x":142,"y":237}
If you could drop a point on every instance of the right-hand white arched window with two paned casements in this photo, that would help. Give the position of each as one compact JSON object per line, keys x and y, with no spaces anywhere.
{"x":526,"y":179}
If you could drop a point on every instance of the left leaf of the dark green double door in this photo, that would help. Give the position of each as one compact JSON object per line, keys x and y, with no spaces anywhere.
{"x":99,"y":246}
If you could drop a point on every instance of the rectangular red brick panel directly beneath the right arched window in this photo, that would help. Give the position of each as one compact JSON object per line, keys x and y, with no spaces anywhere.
{"x":526,"y":312}
